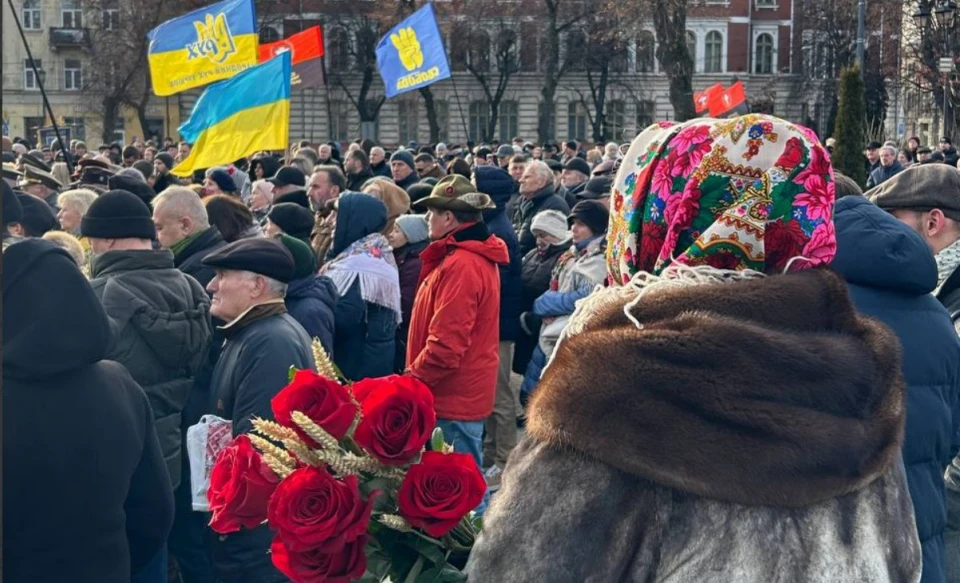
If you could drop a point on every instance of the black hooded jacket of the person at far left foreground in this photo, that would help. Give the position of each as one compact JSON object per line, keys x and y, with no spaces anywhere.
{"x":86,"y":494}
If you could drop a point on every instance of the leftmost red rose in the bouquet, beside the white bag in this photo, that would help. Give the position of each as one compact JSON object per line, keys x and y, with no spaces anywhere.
{"x":240,"y":486}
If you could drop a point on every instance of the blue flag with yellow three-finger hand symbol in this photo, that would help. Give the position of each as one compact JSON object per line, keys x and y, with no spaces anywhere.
{"x":411,"y":55}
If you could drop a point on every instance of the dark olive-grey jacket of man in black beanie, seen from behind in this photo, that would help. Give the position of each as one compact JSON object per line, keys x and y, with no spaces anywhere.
{"x":160,"y":319}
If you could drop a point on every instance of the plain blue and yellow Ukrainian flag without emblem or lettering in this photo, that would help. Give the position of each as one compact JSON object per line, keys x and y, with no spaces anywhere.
{"x":237,"y":117}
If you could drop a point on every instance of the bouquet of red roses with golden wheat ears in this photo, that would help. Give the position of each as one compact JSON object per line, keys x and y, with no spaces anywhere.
{"x":344,"y":482}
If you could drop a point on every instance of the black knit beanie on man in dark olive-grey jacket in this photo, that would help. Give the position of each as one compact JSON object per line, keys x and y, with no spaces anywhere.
{"x":118,"y":214}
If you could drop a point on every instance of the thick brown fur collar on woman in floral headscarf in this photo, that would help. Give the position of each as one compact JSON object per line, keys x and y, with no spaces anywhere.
{"x":766,"y":392}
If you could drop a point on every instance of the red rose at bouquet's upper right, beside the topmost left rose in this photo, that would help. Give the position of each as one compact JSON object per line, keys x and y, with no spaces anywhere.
{"x":397,"y":418}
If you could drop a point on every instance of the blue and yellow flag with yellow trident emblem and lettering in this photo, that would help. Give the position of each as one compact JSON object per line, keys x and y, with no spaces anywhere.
{"x":209,"y":44}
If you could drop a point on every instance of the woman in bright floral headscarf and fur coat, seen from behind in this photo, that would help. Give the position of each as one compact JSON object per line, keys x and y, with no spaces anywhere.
{"x":720,"y":412}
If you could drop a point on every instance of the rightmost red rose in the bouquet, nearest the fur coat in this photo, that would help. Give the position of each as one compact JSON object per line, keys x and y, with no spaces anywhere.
{"x":440,"y":490}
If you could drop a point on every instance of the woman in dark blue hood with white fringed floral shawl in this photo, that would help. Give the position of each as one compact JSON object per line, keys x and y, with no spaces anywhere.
{"x":362,"y":267}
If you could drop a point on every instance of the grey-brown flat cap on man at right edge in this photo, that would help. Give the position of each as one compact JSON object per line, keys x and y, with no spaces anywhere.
{"x":923,"y":187}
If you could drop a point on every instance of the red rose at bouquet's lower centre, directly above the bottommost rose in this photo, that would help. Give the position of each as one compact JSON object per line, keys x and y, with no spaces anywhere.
{"x":313,"y":511}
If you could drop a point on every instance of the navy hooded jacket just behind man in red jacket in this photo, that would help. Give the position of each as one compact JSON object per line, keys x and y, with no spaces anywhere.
{"x":496,"y":183}
